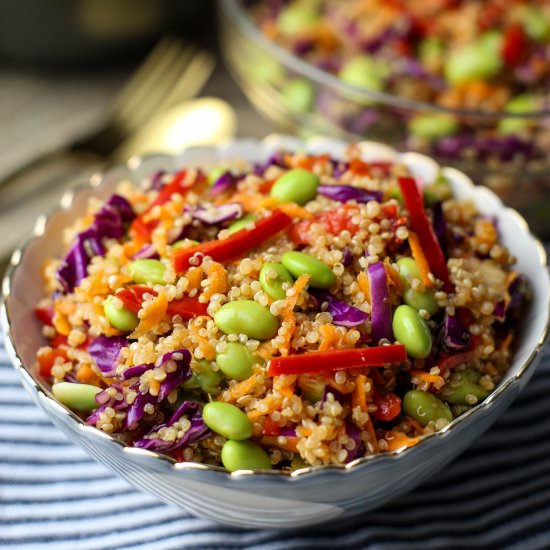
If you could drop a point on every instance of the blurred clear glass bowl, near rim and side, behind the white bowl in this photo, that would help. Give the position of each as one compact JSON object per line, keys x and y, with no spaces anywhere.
{"x":305,"y":99}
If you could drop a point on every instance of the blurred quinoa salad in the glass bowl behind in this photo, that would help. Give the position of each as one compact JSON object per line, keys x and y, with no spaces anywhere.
{"x":466,"y":81}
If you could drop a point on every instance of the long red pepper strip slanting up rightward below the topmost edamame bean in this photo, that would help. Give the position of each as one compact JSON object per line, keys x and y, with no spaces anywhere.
{"x":237,"y":245}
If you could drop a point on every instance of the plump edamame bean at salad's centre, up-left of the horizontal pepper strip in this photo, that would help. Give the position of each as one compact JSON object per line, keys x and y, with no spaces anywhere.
{"x":247,"y":317}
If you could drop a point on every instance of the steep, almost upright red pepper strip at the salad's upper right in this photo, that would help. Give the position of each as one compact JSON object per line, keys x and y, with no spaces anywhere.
{"x":423,"y":228}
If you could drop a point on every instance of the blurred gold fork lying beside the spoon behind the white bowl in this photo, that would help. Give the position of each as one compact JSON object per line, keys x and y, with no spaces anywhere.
{"x":172,"y":72}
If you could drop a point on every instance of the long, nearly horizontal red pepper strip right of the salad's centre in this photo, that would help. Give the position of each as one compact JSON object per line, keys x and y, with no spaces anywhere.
{"x":328,"y":361}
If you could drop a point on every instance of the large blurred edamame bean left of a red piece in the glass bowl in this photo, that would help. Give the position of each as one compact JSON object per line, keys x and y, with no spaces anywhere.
{"x":478,"y":60}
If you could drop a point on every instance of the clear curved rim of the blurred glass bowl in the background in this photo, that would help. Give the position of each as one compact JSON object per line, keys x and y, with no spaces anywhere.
{"x":233,"y":9}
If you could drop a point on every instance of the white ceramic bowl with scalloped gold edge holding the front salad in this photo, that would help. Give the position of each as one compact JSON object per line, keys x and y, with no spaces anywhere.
{"x":275,"y":499}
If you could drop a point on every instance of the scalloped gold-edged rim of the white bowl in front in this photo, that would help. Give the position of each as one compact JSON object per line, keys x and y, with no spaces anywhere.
{"x":263,"y":147}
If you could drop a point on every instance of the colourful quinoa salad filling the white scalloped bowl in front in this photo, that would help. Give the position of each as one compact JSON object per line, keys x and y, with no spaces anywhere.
{"x":304,"y":311}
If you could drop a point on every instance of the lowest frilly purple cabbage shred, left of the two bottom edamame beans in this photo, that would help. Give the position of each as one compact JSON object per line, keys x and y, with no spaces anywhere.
{"x":197,"y":430}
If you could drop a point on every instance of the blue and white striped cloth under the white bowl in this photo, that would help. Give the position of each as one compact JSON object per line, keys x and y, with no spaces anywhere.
{"x":52,"y":495}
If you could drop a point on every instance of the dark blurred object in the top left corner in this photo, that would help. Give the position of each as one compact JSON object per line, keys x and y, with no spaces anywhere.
{"x":83,"y":34}
